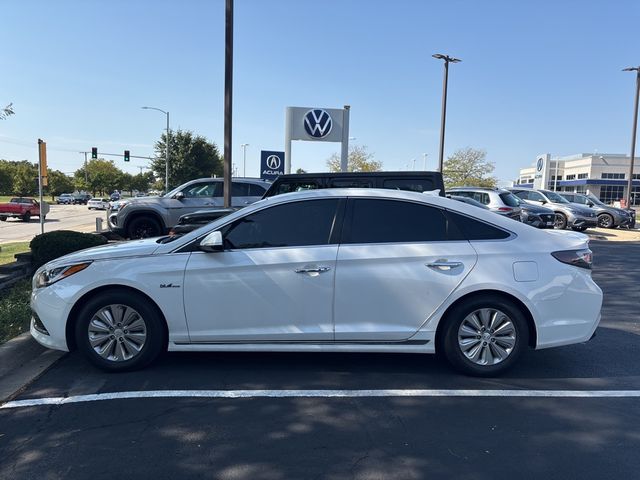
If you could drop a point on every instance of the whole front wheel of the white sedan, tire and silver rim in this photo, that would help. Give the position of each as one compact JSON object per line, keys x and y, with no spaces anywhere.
{"x":119,"y":331}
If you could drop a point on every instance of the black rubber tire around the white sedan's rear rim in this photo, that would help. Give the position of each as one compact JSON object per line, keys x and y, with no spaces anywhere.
{"x":449,"y":337}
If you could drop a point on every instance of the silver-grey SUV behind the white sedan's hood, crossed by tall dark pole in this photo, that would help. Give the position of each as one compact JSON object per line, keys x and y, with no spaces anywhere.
{"x":153,"y":216}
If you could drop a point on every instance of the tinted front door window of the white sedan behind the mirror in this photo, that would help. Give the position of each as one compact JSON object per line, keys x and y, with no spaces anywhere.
{"x":288,"y":225}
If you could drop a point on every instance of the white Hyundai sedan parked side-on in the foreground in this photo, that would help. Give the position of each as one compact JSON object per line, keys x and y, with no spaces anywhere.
{"x":359,"y":270}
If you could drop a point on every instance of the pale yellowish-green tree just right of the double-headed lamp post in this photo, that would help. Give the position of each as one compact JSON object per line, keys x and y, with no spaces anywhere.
{"x":468,"y":167}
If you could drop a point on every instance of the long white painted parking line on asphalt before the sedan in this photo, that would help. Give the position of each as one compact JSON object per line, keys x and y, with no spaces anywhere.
{"x":321,"y":394}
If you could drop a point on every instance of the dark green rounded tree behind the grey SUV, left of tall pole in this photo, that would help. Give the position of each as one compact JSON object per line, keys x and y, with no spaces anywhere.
{"x":190,"y":156}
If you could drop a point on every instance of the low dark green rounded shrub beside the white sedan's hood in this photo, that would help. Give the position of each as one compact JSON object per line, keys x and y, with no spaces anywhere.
{"x":51,"y":245}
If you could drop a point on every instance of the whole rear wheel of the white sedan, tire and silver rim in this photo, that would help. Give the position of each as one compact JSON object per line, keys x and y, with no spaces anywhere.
{"x":484,"y":336}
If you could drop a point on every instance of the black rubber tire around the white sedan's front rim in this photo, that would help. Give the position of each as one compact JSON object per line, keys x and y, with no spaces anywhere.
{"x":155,"y":341}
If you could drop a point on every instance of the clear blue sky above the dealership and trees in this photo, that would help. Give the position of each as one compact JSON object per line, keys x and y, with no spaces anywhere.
{"x":536,"y":77}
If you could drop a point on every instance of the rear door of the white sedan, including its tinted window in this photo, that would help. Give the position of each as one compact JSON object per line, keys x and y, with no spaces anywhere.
{"x":397,"y":263}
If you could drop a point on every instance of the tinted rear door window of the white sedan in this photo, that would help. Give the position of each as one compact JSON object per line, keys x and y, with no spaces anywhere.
{"x":392,"y":221}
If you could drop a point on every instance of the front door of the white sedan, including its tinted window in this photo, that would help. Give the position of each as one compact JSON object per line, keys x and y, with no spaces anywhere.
{"x":272,"y":283}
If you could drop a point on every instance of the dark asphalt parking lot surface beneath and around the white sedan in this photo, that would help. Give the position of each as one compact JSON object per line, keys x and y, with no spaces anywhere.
{"x":572,"y":412}
